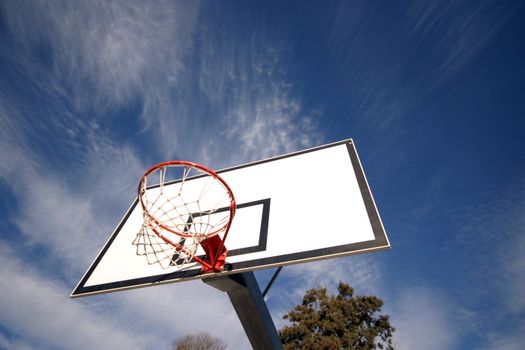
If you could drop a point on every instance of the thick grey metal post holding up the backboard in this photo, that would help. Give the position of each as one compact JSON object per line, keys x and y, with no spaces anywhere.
{"x":247,"y":300}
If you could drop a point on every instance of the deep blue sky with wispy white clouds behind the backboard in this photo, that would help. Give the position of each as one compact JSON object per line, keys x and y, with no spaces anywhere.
{"x":433,"y":93}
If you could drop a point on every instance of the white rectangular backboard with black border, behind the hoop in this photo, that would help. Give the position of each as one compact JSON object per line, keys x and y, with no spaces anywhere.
{"x":304,"y":206}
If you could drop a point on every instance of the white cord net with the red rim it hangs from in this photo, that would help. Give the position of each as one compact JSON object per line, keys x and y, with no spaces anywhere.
{"x":163,"y":214}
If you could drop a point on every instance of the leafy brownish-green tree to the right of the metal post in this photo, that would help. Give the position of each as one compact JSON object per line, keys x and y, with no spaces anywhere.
{"x":344,"y":321}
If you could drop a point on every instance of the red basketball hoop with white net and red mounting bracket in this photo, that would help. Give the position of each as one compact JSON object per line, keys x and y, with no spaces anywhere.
{"x":196,"y":209}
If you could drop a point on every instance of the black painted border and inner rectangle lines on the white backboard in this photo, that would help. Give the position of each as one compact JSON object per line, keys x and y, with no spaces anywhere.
{"x":380,"y":241}
